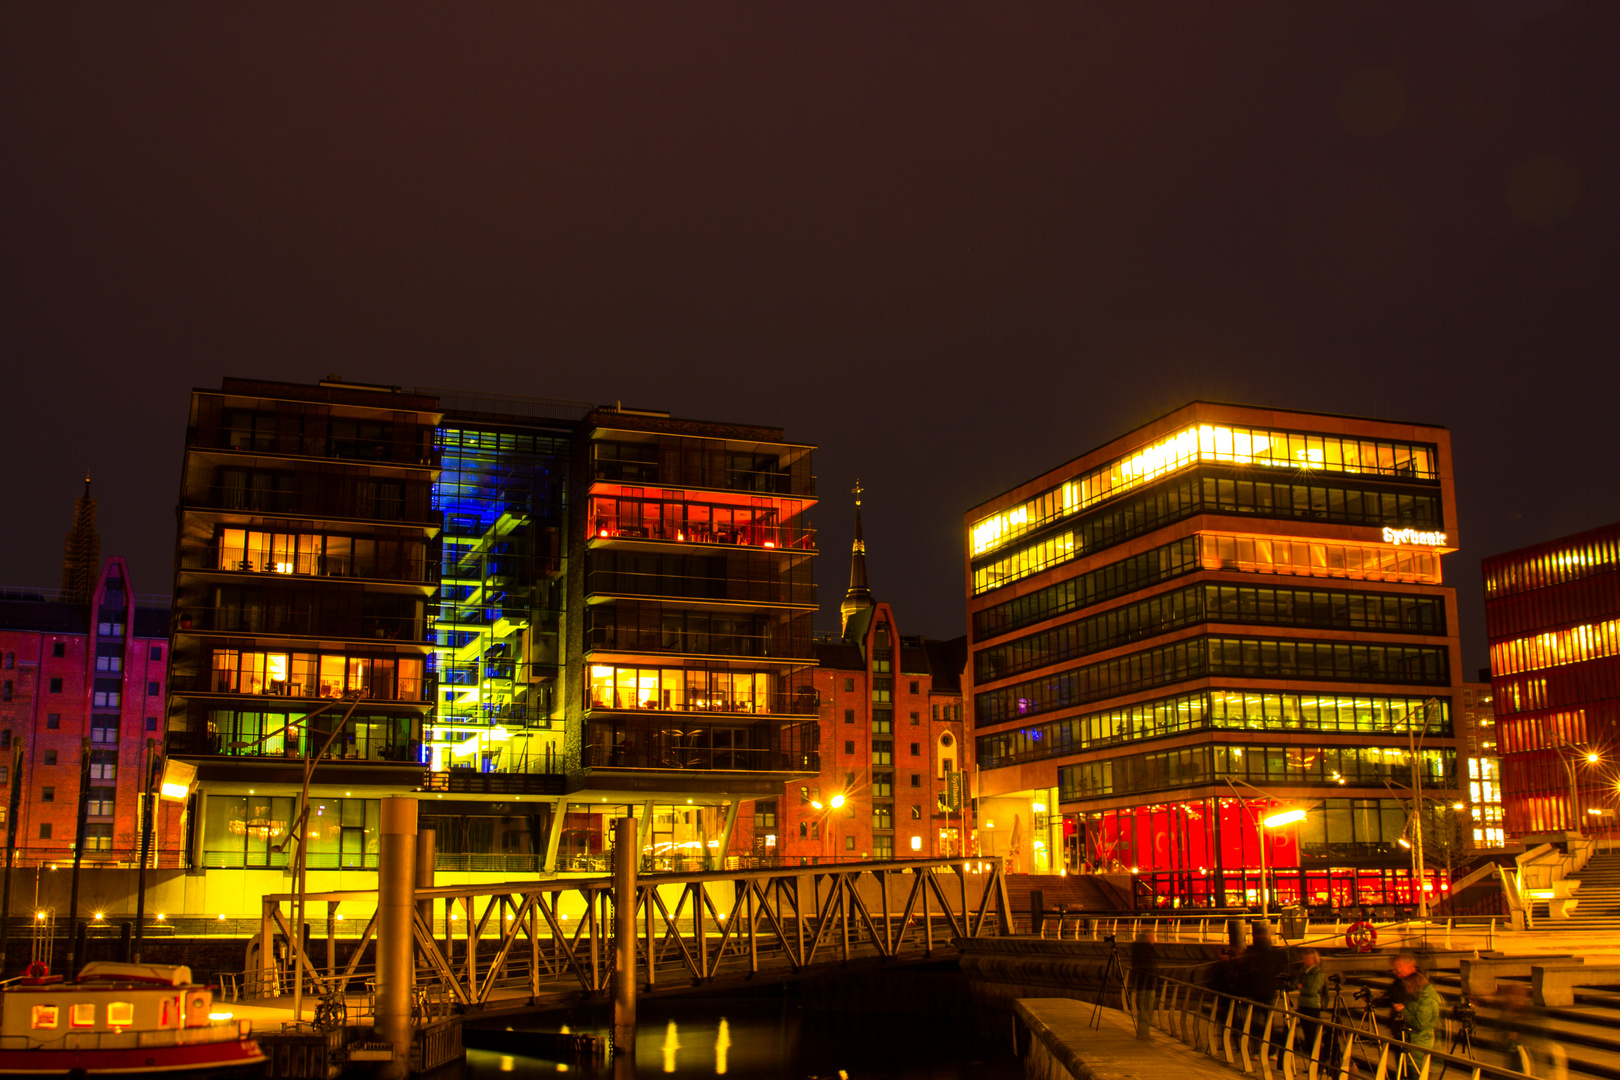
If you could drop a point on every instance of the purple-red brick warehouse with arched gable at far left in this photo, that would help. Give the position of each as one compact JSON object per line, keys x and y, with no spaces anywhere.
{"x":83,"y":678}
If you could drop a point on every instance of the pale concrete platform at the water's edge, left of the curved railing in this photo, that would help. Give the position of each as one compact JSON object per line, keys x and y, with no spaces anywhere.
{"x":1064,"y":1045}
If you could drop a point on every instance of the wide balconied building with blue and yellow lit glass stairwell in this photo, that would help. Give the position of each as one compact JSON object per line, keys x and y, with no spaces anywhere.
{"x":537,"y":618}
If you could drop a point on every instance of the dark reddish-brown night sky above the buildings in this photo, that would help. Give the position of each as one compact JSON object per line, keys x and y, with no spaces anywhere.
{"x":952,"y":244}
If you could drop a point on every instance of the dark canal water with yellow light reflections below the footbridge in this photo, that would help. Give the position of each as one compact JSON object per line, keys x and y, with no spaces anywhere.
{"x":772,"y":1039}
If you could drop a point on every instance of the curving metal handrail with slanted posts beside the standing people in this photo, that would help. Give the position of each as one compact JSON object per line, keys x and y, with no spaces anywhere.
{"x":1222,"y":1026}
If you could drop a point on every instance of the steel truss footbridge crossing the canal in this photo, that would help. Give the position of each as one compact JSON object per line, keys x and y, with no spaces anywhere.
{"x":542,"y":945}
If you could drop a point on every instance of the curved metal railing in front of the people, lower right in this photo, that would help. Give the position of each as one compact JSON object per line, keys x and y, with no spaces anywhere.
{"x":1247,"y":1035}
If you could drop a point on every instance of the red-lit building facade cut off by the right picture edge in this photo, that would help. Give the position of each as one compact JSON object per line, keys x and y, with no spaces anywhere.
{"x":1553,"y":618}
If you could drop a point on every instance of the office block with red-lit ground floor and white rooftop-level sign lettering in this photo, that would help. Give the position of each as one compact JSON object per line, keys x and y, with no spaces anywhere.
{"x":1227,"y":611}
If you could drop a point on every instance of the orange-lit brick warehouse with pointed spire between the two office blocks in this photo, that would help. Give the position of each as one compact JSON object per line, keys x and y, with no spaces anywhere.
{"x":890,"y":739}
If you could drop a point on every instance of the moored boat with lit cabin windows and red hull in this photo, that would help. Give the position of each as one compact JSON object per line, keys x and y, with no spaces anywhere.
{"x":122,"y":1019}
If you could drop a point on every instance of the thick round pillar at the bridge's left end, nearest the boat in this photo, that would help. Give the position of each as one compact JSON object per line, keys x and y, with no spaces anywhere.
{"x":396,"y":956}
